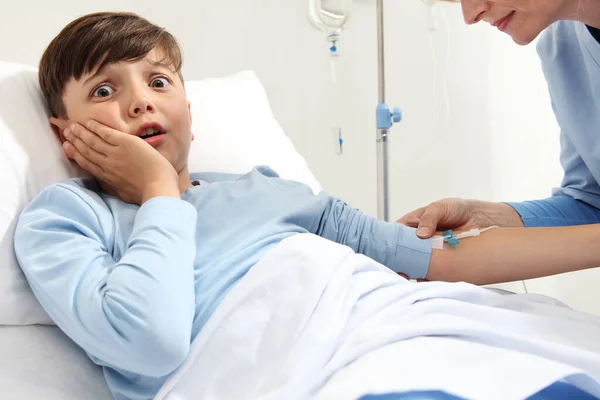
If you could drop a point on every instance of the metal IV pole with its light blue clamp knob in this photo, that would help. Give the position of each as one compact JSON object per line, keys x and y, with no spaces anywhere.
{"x":385,"y":119}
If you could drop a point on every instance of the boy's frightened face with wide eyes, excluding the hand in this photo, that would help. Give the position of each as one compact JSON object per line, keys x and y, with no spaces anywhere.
{"x":126,"y":95}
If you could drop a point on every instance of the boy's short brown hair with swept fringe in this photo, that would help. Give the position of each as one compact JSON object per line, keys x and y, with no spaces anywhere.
{"x":96,"y":40}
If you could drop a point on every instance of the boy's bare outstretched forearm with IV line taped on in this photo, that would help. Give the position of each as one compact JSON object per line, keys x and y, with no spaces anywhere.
{"x":513,"y":254}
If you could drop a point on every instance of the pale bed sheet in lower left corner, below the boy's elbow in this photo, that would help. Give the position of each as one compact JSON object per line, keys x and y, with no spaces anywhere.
{"x":41,"y":362}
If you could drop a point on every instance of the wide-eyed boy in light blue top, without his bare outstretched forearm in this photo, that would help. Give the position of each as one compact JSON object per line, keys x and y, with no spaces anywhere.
{"x":131,"y":265}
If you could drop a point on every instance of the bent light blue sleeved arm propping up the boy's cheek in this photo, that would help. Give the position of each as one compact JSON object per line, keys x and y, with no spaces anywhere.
{"x":134,"y":313}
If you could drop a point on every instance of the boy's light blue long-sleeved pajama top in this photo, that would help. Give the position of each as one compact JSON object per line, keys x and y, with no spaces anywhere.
{"x":133,"y":286}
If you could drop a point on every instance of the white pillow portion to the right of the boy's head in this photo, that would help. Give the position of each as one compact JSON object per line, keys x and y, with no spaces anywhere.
{"x":235,"y":130}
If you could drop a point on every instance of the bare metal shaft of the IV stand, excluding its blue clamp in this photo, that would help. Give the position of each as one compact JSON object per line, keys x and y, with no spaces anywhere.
{"x":382,"y":134}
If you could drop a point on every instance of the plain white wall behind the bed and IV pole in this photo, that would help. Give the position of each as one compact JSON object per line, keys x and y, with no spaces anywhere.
{"x":499,"y":141}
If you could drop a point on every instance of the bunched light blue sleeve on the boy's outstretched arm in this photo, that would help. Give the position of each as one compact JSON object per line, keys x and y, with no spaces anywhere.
{"x":392,"y":244}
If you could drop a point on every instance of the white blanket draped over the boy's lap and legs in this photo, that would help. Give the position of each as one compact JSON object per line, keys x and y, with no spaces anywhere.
{"x":314,"y":320}
